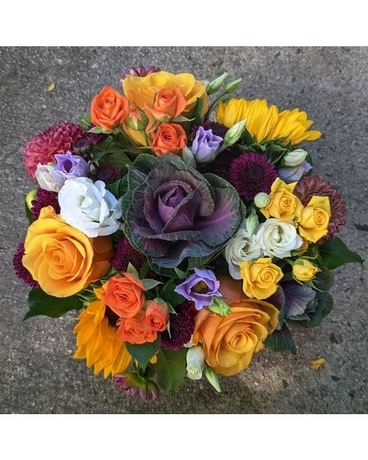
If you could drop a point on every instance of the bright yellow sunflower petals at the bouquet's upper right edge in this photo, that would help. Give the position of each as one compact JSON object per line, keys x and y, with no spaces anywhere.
{"x":267,"y":122}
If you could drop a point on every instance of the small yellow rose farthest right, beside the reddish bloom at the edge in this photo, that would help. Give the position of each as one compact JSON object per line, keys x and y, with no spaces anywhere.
{"x":314,"y":219}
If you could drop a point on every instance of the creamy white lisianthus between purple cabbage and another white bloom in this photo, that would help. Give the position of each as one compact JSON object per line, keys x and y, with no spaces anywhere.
{"x":241,"y":247}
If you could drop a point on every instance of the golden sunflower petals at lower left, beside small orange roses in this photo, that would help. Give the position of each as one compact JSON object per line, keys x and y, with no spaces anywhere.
{"x":97,"y":342}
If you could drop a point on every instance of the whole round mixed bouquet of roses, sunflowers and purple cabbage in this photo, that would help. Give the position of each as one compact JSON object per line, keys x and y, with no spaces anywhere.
{"x":183,"y":226}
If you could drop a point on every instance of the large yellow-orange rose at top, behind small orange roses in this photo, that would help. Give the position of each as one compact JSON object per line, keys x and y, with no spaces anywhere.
{"x":143,"y":91}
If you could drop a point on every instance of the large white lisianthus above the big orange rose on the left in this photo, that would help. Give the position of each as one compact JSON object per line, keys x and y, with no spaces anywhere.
{"x":89,"y":207}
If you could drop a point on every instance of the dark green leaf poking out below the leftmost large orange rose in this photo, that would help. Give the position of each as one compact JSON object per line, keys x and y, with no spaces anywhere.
{"x":40,"y":303}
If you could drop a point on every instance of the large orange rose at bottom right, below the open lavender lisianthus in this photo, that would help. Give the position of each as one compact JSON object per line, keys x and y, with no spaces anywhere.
{"x":229,"y":342}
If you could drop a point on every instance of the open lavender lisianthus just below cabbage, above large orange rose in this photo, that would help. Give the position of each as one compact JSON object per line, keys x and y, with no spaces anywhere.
{"x":200,"y":288}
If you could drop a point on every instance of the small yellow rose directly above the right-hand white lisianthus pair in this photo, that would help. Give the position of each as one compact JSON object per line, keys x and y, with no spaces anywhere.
{"x":283,"y":203}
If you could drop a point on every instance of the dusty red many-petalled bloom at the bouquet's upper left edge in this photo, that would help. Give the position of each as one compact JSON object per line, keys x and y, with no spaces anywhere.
{"x":57,"y":139}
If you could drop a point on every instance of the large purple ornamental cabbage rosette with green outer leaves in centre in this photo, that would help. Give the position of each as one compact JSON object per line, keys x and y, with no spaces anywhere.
{"x":175,"y":215}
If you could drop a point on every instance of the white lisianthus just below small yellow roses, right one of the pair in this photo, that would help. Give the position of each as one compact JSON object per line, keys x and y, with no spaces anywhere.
{"x":278,"y":238}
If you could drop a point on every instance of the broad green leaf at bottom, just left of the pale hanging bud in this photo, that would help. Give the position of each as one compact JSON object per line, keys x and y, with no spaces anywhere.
{"x":170,"y":368}
